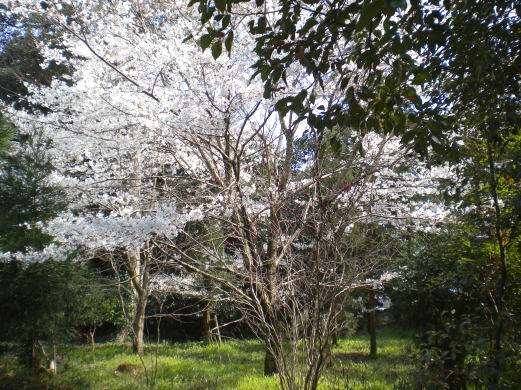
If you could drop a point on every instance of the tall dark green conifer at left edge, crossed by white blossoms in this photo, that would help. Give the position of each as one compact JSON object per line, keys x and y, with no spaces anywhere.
{"x":40,"y":296}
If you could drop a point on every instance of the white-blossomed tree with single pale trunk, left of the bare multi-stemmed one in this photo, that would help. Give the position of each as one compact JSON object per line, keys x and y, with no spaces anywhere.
{"x":112,"y":136}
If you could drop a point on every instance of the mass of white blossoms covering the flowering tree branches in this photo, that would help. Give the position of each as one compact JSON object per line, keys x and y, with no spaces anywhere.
{"x":139,"y":135}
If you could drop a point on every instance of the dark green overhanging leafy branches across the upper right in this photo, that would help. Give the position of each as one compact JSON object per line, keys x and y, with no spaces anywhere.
{"x":404,"y":67}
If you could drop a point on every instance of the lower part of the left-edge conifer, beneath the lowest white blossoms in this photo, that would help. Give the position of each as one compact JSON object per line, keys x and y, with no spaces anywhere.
{"x":43,"y":303}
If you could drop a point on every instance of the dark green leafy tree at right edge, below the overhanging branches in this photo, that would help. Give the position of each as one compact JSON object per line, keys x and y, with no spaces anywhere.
{"x":454,"y":278}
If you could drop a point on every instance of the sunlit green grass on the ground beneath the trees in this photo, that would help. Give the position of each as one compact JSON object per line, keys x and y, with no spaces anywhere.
{"x":192,"y":366}
